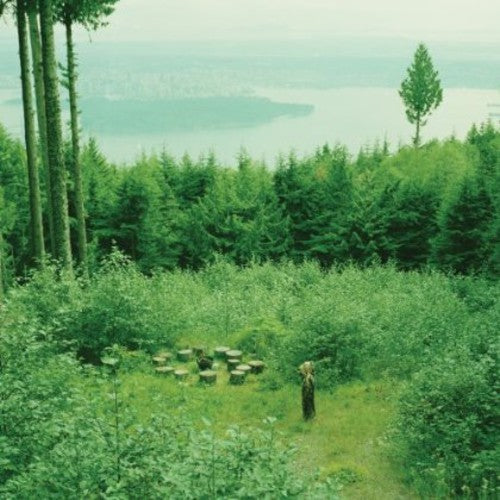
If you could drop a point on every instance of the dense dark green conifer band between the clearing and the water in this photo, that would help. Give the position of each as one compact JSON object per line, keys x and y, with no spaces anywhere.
{"x":437,"y":205}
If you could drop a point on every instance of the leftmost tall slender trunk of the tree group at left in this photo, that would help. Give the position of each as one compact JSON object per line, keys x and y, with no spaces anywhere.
{"x":30,"y":136}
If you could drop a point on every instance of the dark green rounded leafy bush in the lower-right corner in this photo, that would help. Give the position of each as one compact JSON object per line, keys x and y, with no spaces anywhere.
{"x":447,"y":426}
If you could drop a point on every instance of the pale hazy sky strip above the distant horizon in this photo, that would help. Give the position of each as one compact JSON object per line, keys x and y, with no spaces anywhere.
{"x":428,"y":20}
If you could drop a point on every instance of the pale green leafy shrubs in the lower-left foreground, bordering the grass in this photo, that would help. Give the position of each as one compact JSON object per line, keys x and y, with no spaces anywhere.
{"x":69,"y":434}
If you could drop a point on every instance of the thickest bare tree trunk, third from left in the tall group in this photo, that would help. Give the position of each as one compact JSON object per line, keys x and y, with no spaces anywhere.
{"x":54,"y":138}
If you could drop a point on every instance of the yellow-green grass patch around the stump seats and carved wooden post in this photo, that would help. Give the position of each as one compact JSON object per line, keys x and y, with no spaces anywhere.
{"x":347,"y":439}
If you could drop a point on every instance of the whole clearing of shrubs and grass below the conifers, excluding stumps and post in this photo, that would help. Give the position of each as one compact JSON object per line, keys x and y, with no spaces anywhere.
{"x":405,"y":362}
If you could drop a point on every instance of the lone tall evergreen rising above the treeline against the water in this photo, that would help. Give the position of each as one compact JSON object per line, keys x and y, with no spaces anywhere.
{"x":421,"y":90}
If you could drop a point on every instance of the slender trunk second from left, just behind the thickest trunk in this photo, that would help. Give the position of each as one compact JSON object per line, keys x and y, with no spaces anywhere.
{"x":36,"y":51}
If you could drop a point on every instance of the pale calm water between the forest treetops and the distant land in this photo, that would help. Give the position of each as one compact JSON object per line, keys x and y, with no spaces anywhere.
{"x":352,"y":116}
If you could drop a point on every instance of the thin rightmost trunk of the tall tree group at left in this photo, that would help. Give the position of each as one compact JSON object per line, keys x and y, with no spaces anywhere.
{"x":75,"y":141}
